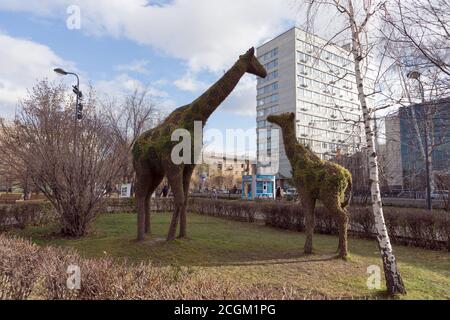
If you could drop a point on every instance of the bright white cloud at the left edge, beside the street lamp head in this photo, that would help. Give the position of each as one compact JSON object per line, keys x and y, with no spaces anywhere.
{"x":22,"y":63}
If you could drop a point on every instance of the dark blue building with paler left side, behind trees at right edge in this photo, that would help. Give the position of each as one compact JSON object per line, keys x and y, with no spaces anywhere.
{"x":405,"y":134}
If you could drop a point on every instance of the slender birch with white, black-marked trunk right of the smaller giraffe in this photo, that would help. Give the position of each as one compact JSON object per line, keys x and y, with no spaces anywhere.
{"x":356,"y":22}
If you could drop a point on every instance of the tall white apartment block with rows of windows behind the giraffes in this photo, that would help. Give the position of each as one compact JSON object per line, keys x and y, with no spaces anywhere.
{"x":316,"y":81}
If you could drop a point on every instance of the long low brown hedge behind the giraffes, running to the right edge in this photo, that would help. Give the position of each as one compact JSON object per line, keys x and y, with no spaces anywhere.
{"x":414,"y":227}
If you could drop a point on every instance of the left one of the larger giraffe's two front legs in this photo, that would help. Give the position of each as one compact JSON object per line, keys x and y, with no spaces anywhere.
{"x":175,"y":178}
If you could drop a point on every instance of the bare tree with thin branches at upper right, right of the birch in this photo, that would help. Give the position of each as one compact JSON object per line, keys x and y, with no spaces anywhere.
{"x":416,"y":35}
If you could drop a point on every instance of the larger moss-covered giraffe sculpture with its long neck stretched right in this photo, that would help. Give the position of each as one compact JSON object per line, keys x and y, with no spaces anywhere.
{"x":152,"y":150}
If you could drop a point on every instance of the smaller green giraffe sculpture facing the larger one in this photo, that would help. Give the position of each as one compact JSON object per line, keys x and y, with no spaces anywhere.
{"x":316,"y":179}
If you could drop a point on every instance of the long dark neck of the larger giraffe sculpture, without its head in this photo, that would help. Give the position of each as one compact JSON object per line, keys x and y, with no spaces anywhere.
{"x":208,"y":102}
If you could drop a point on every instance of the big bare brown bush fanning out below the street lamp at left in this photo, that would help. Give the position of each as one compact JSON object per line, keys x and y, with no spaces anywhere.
{"x":74,"y":163}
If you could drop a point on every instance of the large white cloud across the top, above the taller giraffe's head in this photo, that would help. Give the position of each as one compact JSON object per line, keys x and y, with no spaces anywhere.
{"x":207,"y":34}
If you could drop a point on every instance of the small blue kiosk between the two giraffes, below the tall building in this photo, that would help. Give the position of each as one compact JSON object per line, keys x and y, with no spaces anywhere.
{"x":264,"y":185}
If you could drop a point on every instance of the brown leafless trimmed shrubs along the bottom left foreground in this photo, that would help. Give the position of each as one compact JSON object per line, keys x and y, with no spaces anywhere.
{"x":31,"y":272}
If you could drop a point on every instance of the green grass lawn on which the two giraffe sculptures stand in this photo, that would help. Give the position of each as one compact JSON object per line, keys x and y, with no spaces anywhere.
{"x":259,"y":255}
